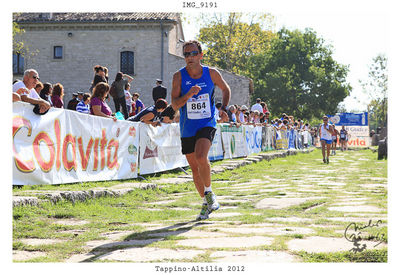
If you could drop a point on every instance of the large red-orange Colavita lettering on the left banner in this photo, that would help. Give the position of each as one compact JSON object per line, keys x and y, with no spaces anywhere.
{"x":98,"y":149}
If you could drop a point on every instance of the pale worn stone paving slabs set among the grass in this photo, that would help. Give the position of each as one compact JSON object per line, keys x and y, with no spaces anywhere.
{"x":225,"y":238}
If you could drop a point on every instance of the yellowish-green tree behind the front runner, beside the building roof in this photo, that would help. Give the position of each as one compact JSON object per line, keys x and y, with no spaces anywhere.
{"x":229,"y":42}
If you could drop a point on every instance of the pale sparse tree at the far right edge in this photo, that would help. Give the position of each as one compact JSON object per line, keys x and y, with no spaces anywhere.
{"x":376,"y":89}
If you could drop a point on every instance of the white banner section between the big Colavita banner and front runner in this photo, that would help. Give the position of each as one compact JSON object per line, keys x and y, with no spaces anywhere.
{"x":160,"y":148}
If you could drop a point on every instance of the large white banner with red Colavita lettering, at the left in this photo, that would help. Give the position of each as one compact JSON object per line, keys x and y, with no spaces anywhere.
{"x":65,"y":146}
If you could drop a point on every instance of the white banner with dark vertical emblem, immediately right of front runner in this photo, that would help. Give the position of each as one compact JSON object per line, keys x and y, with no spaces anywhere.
{"x":233,"y":141}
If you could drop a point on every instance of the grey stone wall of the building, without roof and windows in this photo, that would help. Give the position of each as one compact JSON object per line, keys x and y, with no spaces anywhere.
{"x":92,"y":45}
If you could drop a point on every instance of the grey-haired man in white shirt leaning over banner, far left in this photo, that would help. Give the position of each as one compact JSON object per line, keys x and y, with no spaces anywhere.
{"x":25,"y":87}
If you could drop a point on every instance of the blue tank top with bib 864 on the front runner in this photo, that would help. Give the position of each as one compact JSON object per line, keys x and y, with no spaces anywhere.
{"x":199,"y":111}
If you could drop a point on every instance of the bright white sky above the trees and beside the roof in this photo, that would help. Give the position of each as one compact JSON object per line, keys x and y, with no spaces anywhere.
{"x":357,"y":37}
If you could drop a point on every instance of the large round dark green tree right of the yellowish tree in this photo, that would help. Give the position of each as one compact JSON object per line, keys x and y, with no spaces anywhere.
{"x":298,"y":75}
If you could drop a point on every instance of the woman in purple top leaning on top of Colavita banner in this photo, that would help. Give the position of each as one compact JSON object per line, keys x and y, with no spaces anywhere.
{"x":98,"y":105}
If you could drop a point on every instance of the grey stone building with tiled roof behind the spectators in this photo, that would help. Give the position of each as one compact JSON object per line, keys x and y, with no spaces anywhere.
{"x":64,"y":48}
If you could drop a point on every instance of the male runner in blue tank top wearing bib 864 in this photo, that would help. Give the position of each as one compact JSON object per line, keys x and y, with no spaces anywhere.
{"x":193,"y":92}
